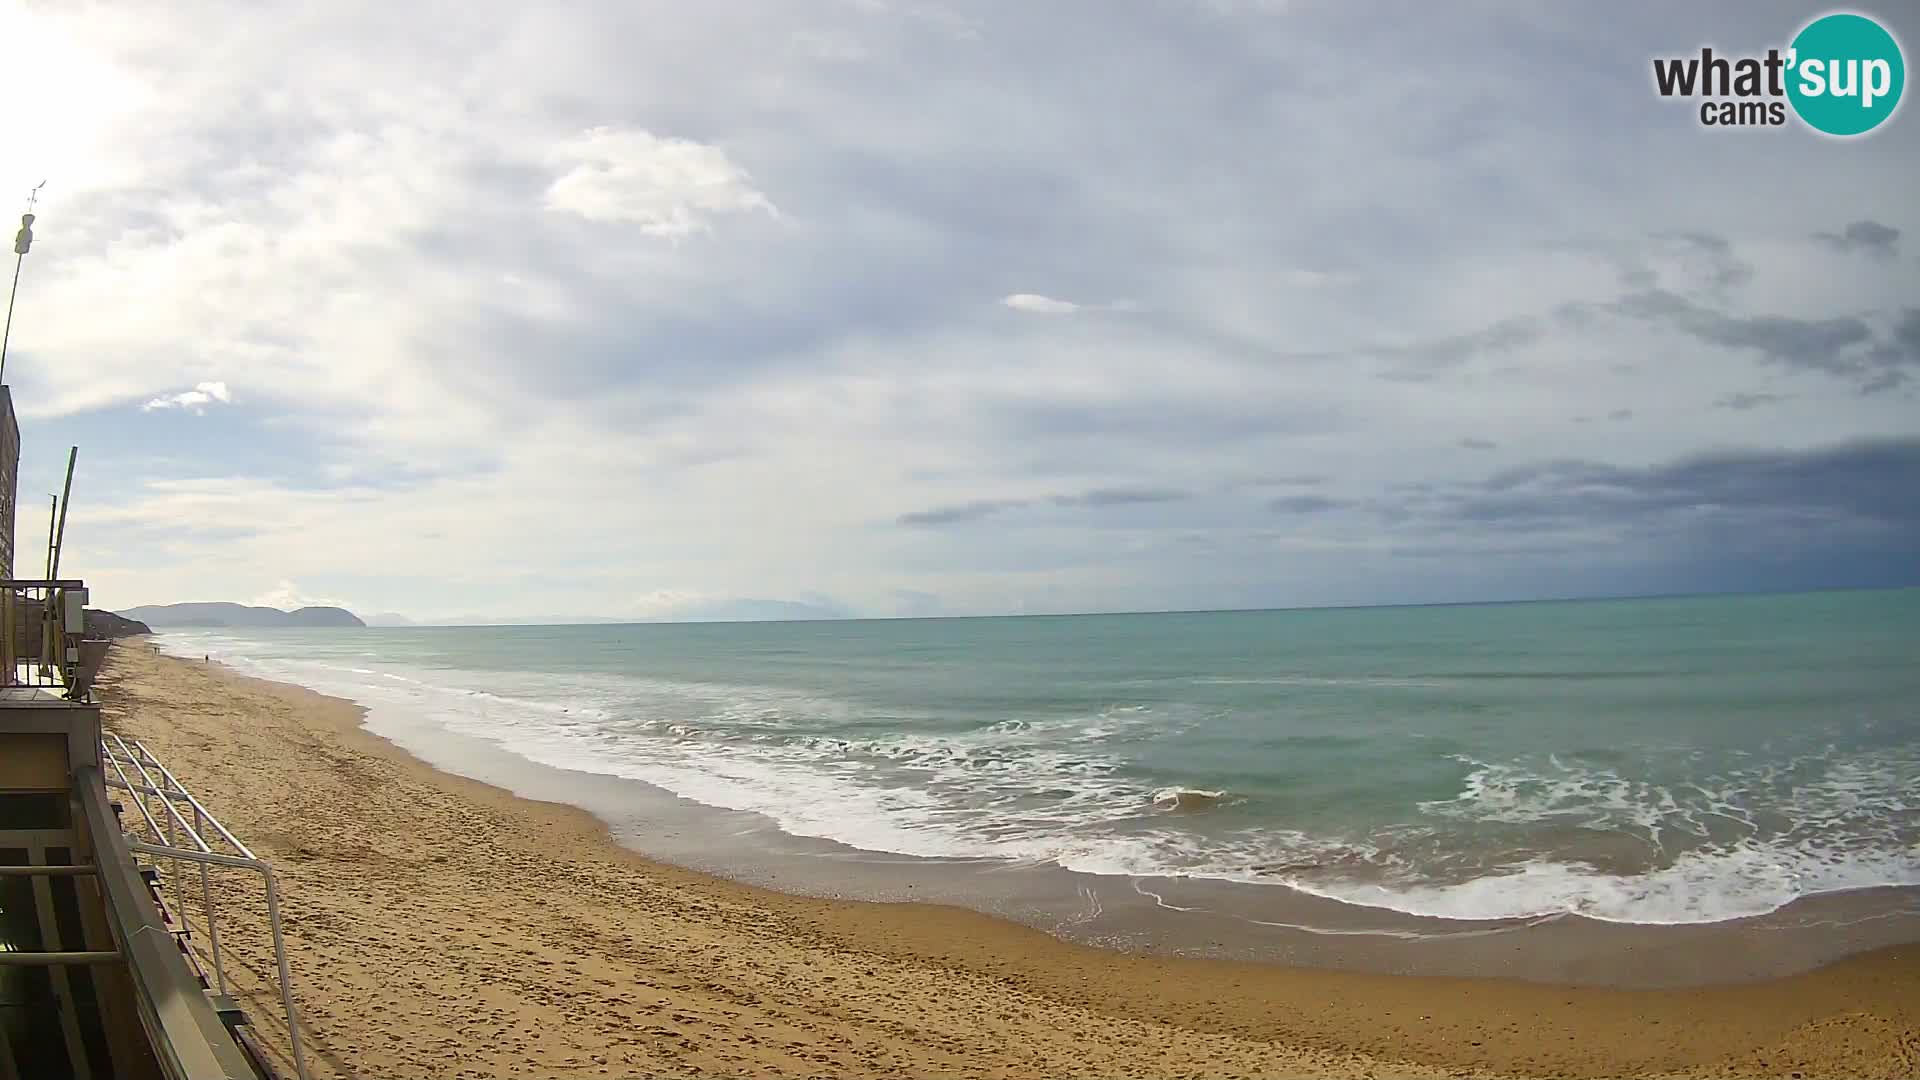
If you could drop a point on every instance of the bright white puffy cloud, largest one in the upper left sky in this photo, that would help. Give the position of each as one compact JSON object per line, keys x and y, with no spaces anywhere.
{"x":669,"y":187}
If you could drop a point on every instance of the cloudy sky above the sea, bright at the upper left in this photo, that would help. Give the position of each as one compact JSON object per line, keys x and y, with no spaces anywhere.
{"x":804,"y":308}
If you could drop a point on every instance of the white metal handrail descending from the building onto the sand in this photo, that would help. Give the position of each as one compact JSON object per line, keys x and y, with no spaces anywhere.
{"x":204,"y":856}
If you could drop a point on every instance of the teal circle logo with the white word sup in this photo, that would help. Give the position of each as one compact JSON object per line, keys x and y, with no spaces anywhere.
{"x":1846,"y":74}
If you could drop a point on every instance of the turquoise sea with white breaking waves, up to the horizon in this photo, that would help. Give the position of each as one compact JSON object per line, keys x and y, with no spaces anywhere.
{"x":1679,"y":760}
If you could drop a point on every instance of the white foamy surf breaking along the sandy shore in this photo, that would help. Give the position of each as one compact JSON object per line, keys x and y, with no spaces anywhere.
{"x":1059,"y":791}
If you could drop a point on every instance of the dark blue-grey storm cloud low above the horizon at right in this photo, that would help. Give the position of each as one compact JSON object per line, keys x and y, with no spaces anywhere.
{"x":1869,"y":485}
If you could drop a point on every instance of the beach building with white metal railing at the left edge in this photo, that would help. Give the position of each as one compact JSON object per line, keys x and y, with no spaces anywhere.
{"x":101,"y":970}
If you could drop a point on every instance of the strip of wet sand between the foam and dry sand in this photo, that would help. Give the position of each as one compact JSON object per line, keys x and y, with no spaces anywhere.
{"x":1188,"y":918}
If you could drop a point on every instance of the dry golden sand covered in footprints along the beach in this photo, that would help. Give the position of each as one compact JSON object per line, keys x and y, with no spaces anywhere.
{"x":441,"y":927}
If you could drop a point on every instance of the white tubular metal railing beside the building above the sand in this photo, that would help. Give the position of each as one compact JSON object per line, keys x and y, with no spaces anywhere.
{"x":158,"y":789}
